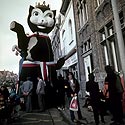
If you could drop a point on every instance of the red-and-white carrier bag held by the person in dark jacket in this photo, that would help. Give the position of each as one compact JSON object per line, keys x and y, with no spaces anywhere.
{"x":74,"y":104}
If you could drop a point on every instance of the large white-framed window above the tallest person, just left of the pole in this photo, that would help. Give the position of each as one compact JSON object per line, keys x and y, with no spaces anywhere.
{"x":108,"y":44}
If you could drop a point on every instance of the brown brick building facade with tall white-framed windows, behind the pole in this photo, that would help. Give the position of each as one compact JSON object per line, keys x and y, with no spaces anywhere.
{"x":97,"y":43}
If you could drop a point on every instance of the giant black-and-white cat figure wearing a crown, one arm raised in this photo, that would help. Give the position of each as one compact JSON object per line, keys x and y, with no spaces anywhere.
{"x":37,"y":48}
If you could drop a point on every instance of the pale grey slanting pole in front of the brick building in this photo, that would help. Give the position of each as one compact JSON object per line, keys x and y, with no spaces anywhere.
{"x":119,"y":35}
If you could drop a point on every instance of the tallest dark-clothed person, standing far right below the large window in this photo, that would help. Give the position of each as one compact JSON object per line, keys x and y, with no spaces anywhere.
{"x":115,"y":95}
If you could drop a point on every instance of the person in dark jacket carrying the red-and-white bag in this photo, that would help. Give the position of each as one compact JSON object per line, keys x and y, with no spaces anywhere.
{"x":72,"y":89}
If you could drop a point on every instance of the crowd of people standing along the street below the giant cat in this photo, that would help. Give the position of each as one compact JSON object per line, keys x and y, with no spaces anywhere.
{"x":109,"y":99}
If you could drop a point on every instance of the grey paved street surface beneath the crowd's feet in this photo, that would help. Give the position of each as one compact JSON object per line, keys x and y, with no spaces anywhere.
{"x":58,"y":117}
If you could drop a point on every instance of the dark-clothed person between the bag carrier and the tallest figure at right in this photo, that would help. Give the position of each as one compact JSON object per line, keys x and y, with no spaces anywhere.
{"x":93,"y":88}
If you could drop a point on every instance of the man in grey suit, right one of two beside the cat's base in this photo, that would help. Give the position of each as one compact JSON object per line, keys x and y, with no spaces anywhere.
{"x":41,"y":93}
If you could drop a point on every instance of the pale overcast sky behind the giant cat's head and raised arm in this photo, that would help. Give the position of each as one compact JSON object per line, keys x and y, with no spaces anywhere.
{"x":15,"y":10}
